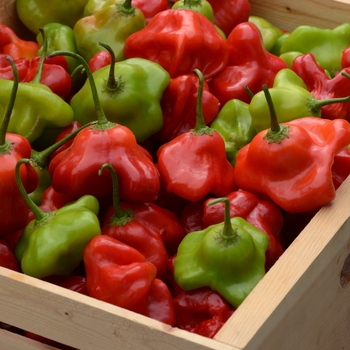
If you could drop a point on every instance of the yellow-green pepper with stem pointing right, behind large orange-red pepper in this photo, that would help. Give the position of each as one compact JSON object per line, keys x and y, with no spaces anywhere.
{"x":287,"y":84}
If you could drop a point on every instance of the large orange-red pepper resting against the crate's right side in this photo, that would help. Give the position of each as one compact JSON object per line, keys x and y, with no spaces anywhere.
{"x":291,"y":162}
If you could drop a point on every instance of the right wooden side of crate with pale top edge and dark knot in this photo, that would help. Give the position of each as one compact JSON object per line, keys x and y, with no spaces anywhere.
{"x":300,"y":304}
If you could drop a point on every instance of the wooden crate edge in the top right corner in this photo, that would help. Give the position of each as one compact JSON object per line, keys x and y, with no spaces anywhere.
{"x":288,"y":14}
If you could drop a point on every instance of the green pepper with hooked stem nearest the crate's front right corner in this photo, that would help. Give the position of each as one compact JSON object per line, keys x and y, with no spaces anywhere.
{"x":228,"y":257}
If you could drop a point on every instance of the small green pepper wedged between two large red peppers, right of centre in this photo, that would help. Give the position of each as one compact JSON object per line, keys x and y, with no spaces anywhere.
{"x":234,"y":123}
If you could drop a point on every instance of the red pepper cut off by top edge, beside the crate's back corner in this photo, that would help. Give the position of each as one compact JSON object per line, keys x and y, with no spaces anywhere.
{"x":229,"y":13}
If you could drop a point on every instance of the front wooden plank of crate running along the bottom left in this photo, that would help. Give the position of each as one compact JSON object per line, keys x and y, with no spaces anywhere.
{"x":86,"y":323}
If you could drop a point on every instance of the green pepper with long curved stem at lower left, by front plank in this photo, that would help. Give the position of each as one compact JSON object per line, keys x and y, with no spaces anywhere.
{"x":53,"y":243}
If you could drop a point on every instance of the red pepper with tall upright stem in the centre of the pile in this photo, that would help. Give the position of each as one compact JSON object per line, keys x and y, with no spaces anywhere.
{"x":187,"y":162}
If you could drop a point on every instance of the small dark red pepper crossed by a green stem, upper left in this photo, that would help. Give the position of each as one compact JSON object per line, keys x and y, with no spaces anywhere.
{"x":53,"y":75}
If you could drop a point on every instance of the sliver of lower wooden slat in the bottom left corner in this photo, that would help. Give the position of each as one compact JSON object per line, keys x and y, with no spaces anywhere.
{"x":12,"y":341}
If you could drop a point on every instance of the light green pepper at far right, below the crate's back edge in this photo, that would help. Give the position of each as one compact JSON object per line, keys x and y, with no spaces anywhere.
{"x":325,"y":44}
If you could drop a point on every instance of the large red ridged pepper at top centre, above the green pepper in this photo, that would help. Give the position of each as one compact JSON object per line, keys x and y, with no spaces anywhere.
{"x":180,"y":40}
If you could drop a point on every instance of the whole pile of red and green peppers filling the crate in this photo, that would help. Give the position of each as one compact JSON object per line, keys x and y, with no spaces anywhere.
{"x":162,"y":155}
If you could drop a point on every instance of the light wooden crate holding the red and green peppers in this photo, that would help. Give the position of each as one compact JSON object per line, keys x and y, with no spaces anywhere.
{"x":302,"y":303}
